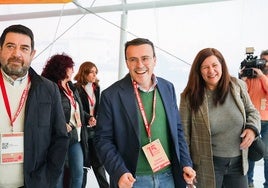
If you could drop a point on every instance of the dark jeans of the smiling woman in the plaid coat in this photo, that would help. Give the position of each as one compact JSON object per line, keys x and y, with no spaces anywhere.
{"x":229,"y":172}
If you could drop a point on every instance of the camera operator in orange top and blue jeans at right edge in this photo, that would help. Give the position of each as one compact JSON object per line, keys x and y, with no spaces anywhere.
{"x":258,"y":92}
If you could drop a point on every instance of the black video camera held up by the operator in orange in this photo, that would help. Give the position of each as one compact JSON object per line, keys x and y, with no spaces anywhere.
{"x":251,"y":62}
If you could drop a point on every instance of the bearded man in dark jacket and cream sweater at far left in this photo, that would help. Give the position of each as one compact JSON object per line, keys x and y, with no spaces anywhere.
{"x":31,"y":118}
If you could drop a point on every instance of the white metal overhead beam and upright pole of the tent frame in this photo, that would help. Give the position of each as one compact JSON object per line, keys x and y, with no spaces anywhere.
{"x":124,"y":7}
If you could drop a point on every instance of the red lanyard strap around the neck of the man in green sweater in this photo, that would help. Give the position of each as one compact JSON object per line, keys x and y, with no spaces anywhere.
{"x":143,"y":114}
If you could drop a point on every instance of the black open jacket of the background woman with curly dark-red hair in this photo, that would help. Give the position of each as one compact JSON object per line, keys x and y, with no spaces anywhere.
{"x":83,"y":115}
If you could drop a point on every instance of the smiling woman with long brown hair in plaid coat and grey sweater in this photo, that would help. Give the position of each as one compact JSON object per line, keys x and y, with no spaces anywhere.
{"x":218,"y":137}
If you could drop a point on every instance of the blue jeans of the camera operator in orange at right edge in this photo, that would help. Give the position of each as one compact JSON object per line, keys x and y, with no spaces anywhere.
{"x":264,"y":135}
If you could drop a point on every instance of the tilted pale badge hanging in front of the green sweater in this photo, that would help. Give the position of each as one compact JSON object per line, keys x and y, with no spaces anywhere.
{"x":156,"y":155}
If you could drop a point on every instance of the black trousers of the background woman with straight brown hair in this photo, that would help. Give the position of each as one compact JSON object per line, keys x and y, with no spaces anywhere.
{"x":97,"y":166}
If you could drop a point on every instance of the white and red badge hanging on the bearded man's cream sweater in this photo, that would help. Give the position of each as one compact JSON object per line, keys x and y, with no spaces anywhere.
{"x":12,"y":148}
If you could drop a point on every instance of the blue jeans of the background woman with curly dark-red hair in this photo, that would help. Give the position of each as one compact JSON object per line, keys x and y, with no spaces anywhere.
{"x":75,"y":161}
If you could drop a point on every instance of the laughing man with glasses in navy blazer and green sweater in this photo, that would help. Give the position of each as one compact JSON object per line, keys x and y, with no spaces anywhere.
{"x":138,"y":134}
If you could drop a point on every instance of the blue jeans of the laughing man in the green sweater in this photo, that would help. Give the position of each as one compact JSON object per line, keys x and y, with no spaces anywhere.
{"x":162,"y":180}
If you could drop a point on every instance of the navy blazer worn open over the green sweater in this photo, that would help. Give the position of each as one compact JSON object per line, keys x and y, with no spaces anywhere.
{"x":118,"y":135}
